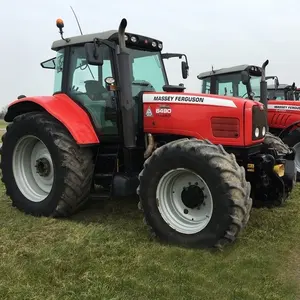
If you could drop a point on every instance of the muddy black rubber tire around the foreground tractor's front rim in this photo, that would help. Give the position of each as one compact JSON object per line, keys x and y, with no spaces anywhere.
{"x":225,"y":179}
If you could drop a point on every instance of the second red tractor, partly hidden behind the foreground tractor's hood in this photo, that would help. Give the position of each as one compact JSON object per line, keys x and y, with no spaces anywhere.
{"x":244,"y":82}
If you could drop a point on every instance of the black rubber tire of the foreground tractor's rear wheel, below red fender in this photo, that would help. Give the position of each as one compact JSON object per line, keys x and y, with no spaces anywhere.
{"x":72,"y":166}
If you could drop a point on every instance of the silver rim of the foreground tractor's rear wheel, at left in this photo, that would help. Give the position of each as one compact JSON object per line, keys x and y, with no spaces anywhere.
{"x":33,"y":168}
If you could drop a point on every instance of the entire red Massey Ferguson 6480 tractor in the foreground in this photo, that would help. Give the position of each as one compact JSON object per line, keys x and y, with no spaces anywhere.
{"x":114,"y":121}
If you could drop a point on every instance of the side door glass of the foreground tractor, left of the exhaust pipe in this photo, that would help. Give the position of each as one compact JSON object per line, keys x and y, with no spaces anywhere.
{"x":87,"y":87}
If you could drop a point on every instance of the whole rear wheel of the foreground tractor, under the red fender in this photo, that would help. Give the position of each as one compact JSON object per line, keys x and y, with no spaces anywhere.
{"x":43,"y":169}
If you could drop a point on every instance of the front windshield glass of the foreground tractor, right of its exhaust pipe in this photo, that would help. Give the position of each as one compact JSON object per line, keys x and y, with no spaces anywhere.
{"x":148,"y":71}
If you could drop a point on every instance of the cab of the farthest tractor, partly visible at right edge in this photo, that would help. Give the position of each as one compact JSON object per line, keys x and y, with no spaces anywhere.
{"x":279,"y":91}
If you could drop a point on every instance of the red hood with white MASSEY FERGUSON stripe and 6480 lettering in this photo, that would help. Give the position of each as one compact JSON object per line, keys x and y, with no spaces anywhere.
{"x":198,"y":116}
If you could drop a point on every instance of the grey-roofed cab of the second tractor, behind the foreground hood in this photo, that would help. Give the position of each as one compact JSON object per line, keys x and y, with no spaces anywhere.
{"x":241,"y":81}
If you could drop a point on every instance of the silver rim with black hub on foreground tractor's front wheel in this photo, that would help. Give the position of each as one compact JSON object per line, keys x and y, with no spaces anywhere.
{"x":180,"y":202}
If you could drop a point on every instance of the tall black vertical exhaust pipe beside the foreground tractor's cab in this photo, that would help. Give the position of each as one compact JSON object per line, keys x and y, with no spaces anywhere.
{"x":126,"y":100}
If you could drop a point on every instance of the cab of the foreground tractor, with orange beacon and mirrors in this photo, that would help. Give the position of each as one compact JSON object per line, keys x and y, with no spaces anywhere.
{"x":87,"y":69}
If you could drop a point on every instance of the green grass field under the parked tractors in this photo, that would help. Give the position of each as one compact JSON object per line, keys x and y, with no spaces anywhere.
{"x":104,"y":252}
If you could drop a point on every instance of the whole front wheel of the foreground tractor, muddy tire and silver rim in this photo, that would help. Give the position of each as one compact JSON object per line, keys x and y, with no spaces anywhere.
{"x":193,"y":193}
